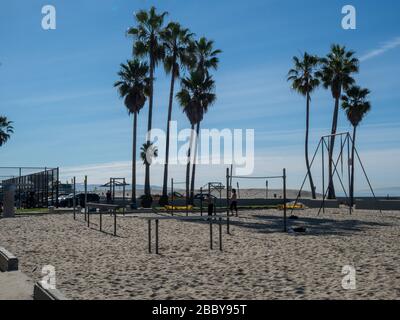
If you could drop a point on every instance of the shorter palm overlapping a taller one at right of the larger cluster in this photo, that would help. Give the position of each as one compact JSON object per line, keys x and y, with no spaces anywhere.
{"x":195,"y":97}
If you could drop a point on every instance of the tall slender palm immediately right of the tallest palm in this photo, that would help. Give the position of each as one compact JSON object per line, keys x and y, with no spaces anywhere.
{"x":177,"y":41}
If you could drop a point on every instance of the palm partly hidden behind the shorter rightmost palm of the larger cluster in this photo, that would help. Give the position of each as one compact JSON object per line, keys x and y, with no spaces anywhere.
{"x":206,"y":58}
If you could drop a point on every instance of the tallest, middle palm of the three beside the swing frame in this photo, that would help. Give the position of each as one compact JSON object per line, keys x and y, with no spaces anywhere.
{"x":336,"y":74}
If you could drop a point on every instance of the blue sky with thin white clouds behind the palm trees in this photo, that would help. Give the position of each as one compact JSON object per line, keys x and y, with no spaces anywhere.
{"x":57,"y":85}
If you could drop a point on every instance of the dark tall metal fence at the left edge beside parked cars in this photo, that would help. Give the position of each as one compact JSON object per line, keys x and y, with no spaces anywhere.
{"x":36,"y":187}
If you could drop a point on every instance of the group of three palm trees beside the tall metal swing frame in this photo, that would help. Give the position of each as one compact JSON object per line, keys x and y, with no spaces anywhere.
{"x":335,"y":72}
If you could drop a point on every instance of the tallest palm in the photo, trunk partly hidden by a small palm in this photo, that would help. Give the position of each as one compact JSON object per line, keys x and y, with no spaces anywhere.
{"x":147,"y":36}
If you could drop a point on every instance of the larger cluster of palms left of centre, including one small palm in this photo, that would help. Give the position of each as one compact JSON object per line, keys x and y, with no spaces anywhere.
{"x":184,"y":58}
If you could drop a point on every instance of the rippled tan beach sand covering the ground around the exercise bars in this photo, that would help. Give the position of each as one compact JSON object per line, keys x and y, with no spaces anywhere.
{"x":258,"y":261}
